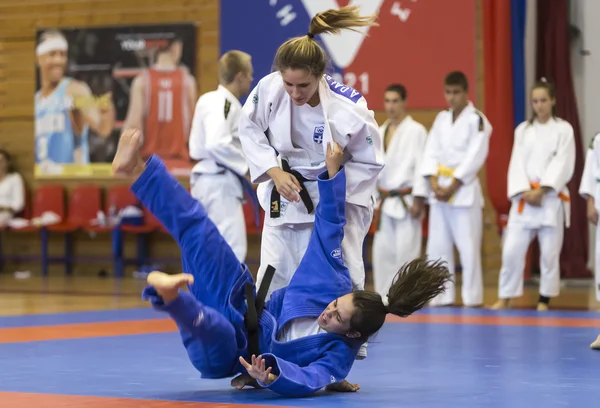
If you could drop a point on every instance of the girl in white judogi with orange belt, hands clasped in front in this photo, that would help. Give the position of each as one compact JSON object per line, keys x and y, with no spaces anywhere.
{"x":541,"y":164}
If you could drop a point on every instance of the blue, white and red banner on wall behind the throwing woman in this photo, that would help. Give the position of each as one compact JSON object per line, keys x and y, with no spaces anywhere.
{"x":416,"y":44}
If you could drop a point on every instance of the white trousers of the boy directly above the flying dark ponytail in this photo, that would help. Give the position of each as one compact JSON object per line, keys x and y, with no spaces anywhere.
{"x":396,"y":242}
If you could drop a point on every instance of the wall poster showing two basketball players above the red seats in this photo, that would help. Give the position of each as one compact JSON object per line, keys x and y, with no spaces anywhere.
{"x":93,"y":82}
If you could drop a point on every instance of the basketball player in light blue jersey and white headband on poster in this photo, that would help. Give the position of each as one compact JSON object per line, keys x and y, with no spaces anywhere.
{"x":65,"y":109}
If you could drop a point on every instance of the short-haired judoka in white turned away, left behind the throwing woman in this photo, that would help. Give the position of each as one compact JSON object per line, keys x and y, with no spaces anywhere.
{"x":217,"y":180}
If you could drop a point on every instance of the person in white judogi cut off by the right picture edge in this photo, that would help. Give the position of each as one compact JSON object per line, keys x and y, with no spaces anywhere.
{"x":590,"y":190}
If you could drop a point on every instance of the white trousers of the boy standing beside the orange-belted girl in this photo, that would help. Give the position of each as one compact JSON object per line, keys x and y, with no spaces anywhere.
{"x":461,"y":226}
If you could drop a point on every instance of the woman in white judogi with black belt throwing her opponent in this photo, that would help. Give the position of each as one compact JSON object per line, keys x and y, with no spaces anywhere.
{"x":285,"y":126}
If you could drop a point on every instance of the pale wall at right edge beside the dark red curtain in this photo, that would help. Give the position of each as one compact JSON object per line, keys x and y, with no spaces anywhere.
{"x":586,"y":72}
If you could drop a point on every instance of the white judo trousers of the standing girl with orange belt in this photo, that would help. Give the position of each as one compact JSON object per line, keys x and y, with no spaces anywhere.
{"x":516,"y":241}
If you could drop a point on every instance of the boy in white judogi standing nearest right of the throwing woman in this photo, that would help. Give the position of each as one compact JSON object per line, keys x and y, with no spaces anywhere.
{"x":402,"y":191}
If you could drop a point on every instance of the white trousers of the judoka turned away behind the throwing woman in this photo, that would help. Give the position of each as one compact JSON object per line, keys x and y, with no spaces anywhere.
{"x":222,"y":195}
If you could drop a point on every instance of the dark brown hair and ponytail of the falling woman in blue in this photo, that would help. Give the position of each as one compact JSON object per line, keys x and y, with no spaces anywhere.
{"x":416,"y":283}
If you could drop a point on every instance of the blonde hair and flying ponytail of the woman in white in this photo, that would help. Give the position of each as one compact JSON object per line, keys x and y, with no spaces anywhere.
{"x":305,"y":53}
